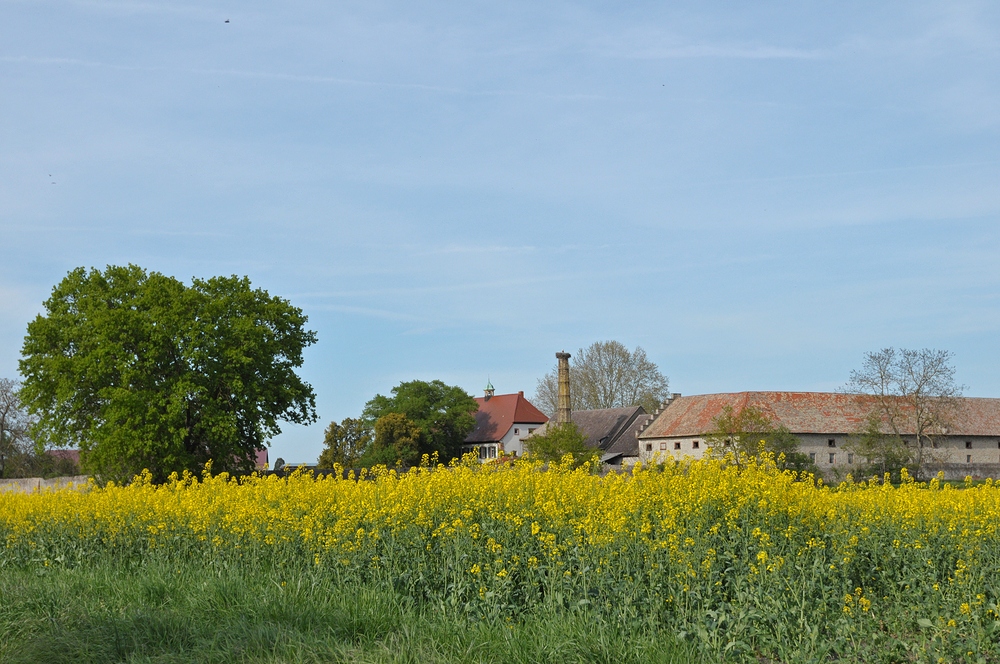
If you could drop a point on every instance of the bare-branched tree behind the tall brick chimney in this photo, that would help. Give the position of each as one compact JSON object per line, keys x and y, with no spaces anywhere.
{"x":606,"y":375}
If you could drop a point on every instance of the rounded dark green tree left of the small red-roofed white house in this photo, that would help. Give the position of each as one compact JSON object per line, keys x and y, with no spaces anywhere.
{"x":444,"y":414}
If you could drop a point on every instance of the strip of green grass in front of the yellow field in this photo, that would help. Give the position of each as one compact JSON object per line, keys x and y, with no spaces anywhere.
{"x":159,"y":613}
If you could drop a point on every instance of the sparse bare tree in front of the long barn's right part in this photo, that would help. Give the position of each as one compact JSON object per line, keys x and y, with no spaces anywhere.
{"x":912,"y":395}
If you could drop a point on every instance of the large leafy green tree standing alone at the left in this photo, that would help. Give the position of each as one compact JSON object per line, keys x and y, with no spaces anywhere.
{"x":139,"y":371}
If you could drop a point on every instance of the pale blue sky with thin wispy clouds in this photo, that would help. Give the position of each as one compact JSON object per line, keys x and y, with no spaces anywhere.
{"x":755,"y":193}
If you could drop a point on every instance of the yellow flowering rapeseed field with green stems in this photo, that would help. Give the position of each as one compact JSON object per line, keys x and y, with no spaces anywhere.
{"x":748,"y":564}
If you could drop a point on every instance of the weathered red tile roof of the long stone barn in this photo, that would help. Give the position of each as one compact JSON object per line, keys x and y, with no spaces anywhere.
{"x":805,"y":412}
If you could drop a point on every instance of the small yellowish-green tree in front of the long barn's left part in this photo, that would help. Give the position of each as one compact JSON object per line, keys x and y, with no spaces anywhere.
{"x":746,"y":432}
